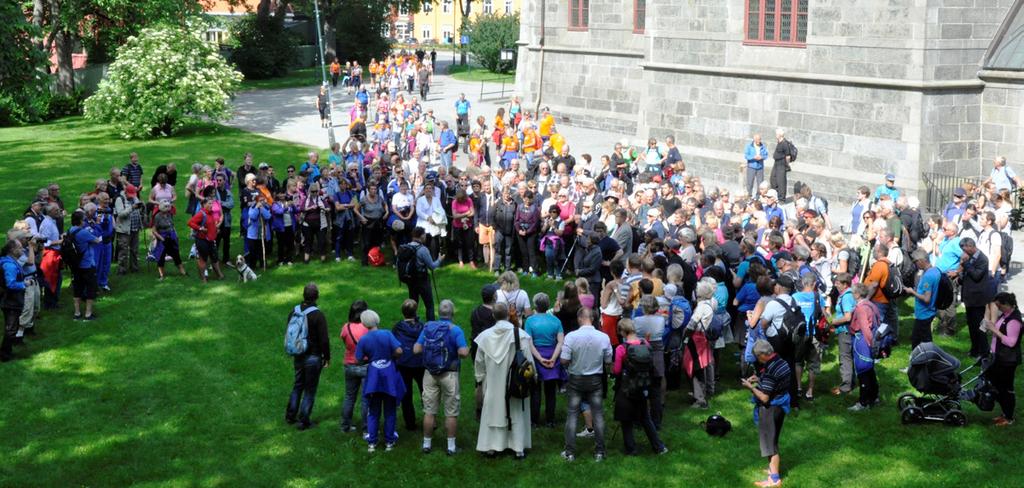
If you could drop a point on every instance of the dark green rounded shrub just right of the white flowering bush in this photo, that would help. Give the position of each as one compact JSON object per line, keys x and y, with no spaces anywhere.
{"x":266,"y":50}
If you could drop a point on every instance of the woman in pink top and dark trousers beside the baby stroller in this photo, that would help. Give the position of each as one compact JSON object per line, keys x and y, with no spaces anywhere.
{"x":1006,"y":356}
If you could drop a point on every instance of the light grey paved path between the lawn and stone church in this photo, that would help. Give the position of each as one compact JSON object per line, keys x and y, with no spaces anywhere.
{"x":290,"y":115}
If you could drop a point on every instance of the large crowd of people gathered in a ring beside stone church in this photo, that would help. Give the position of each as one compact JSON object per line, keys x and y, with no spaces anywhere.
{"x":670,"y":271}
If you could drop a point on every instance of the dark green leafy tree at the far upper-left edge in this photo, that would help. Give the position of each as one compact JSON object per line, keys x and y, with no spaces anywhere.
{"x":23,"y":65}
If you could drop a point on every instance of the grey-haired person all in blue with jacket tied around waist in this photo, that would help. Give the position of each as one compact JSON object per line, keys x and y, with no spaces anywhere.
{"x":385,"y":387}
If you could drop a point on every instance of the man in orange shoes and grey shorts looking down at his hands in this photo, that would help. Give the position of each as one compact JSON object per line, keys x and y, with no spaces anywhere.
{"x":771,"y":388}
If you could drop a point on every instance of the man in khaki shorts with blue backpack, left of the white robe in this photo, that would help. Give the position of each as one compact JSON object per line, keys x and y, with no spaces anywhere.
{"x":443,"y":345}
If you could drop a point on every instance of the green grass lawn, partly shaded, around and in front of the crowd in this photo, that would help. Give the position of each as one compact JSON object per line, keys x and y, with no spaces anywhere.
{"x":184,"y":385}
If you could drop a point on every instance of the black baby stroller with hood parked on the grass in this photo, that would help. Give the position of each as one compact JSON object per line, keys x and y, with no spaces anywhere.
{"x":936,"y":374}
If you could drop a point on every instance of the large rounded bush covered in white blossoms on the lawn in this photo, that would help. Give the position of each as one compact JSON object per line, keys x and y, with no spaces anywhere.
{"x":162,"y":80}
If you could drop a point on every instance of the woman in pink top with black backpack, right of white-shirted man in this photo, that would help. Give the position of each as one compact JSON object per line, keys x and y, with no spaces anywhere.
{"x":631,"y":407}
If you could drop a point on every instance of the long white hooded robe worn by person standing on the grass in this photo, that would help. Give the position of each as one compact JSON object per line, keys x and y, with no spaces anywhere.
{"x":494,"y":359}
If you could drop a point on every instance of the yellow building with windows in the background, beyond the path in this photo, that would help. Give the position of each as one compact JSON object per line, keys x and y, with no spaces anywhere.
{"x":440,"y":21}
